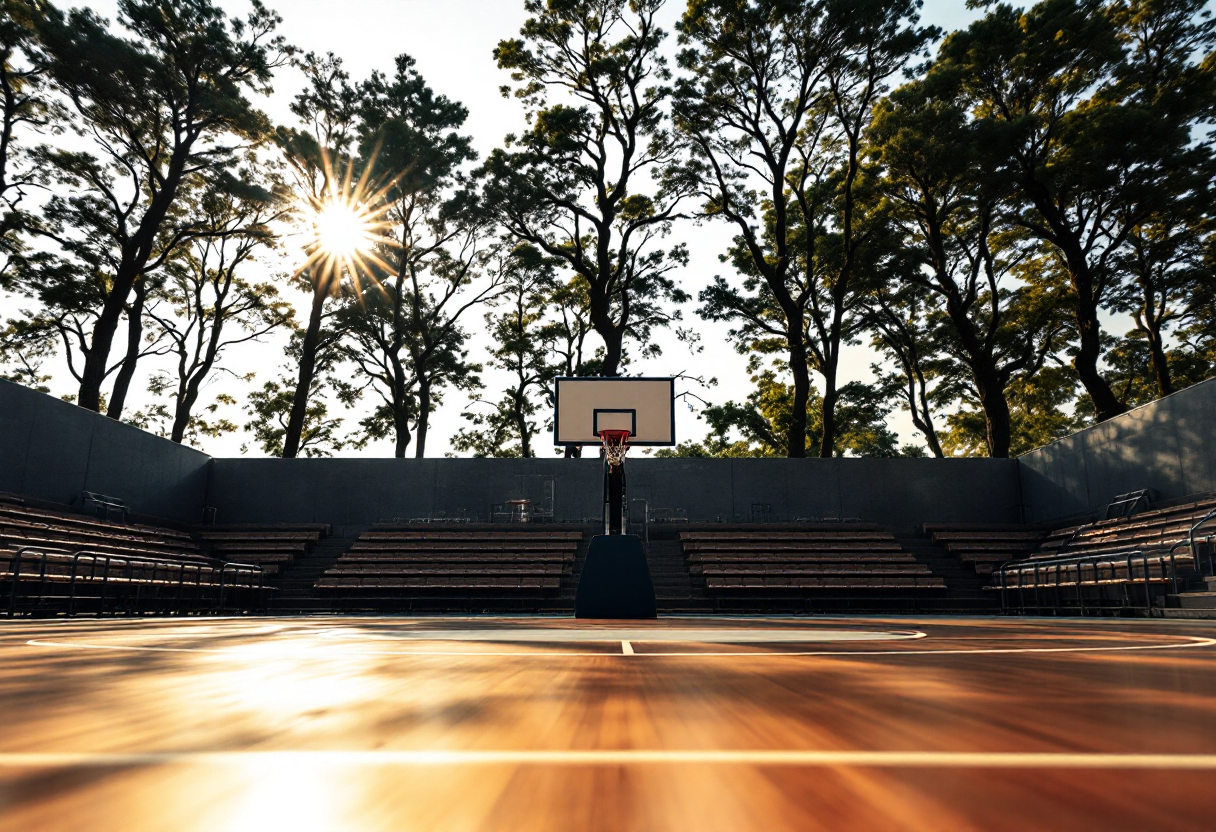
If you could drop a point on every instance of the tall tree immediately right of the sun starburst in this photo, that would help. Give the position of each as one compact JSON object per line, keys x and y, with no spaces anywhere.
{"x":407,"y":330}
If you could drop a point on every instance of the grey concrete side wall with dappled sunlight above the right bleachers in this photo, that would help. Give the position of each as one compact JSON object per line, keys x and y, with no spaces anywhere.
{"x":1168,"y":446}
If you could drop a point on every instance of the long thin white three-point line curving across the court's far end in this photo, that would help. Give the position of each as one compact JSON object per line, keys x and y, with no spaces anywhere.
{"x":1194,"y":642}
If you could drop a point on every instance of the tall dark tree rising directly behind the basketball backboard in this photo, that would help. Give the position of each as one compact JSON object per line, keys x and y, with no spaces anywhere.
{"x":575,"y":184}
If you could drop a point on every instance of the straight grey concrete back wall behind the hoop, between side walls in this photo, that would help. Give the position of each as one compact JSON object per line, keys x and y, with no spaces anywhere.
{"x":357,"y":493}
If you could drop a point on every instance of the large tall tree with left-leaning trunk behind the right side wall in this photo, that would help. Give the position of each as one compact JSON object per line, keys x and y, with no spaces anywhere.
{"x":1089,"y":160}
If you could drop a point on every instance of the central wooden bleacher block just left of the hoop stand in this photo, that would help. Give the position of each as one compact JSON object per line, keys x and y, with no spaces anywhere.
{"x":454,"y":560}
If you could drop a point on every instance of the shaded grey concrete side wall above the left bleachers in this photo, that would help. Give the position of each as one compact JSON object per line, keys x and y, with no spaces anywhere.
{"x":53,"y":451}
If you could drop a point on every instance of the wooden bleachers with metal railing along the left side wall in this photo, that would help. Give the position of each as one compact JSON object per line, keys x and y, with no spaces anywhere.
{"x":57,"y":561}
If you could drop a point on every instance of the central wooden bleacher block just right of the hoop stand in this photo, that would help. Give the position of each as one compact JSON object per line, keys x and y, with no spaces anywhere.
{"x":851,"y":556}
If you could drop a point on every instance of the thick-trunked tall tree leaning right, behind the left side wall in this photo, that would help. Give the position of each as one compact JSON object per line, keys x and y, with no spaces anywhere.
{"x":160,"y":109}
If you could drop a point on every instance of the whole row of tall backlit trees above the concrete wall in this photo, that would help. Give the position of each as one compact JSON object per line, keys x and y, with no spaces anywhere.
{"x":1015,"y":222}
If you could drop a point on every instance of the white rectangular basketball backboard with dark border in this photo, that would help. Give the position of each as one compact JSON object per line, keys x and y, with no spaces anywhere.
{"x":644,"y":407}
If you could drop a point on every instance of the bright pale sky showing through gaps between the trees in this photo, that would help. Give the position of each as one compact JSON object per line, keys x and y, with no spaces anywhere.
{"x":453,"y":43}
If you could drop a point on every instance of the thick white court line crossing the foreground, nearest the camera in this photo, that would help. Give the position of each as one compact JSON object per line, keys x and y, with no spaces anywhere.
{"x":624,"y":757}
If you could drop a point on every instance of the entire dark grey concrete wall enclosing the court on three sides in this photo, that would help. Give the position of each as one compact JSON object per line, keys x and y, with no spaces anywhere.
{"x":53,"y":451}
